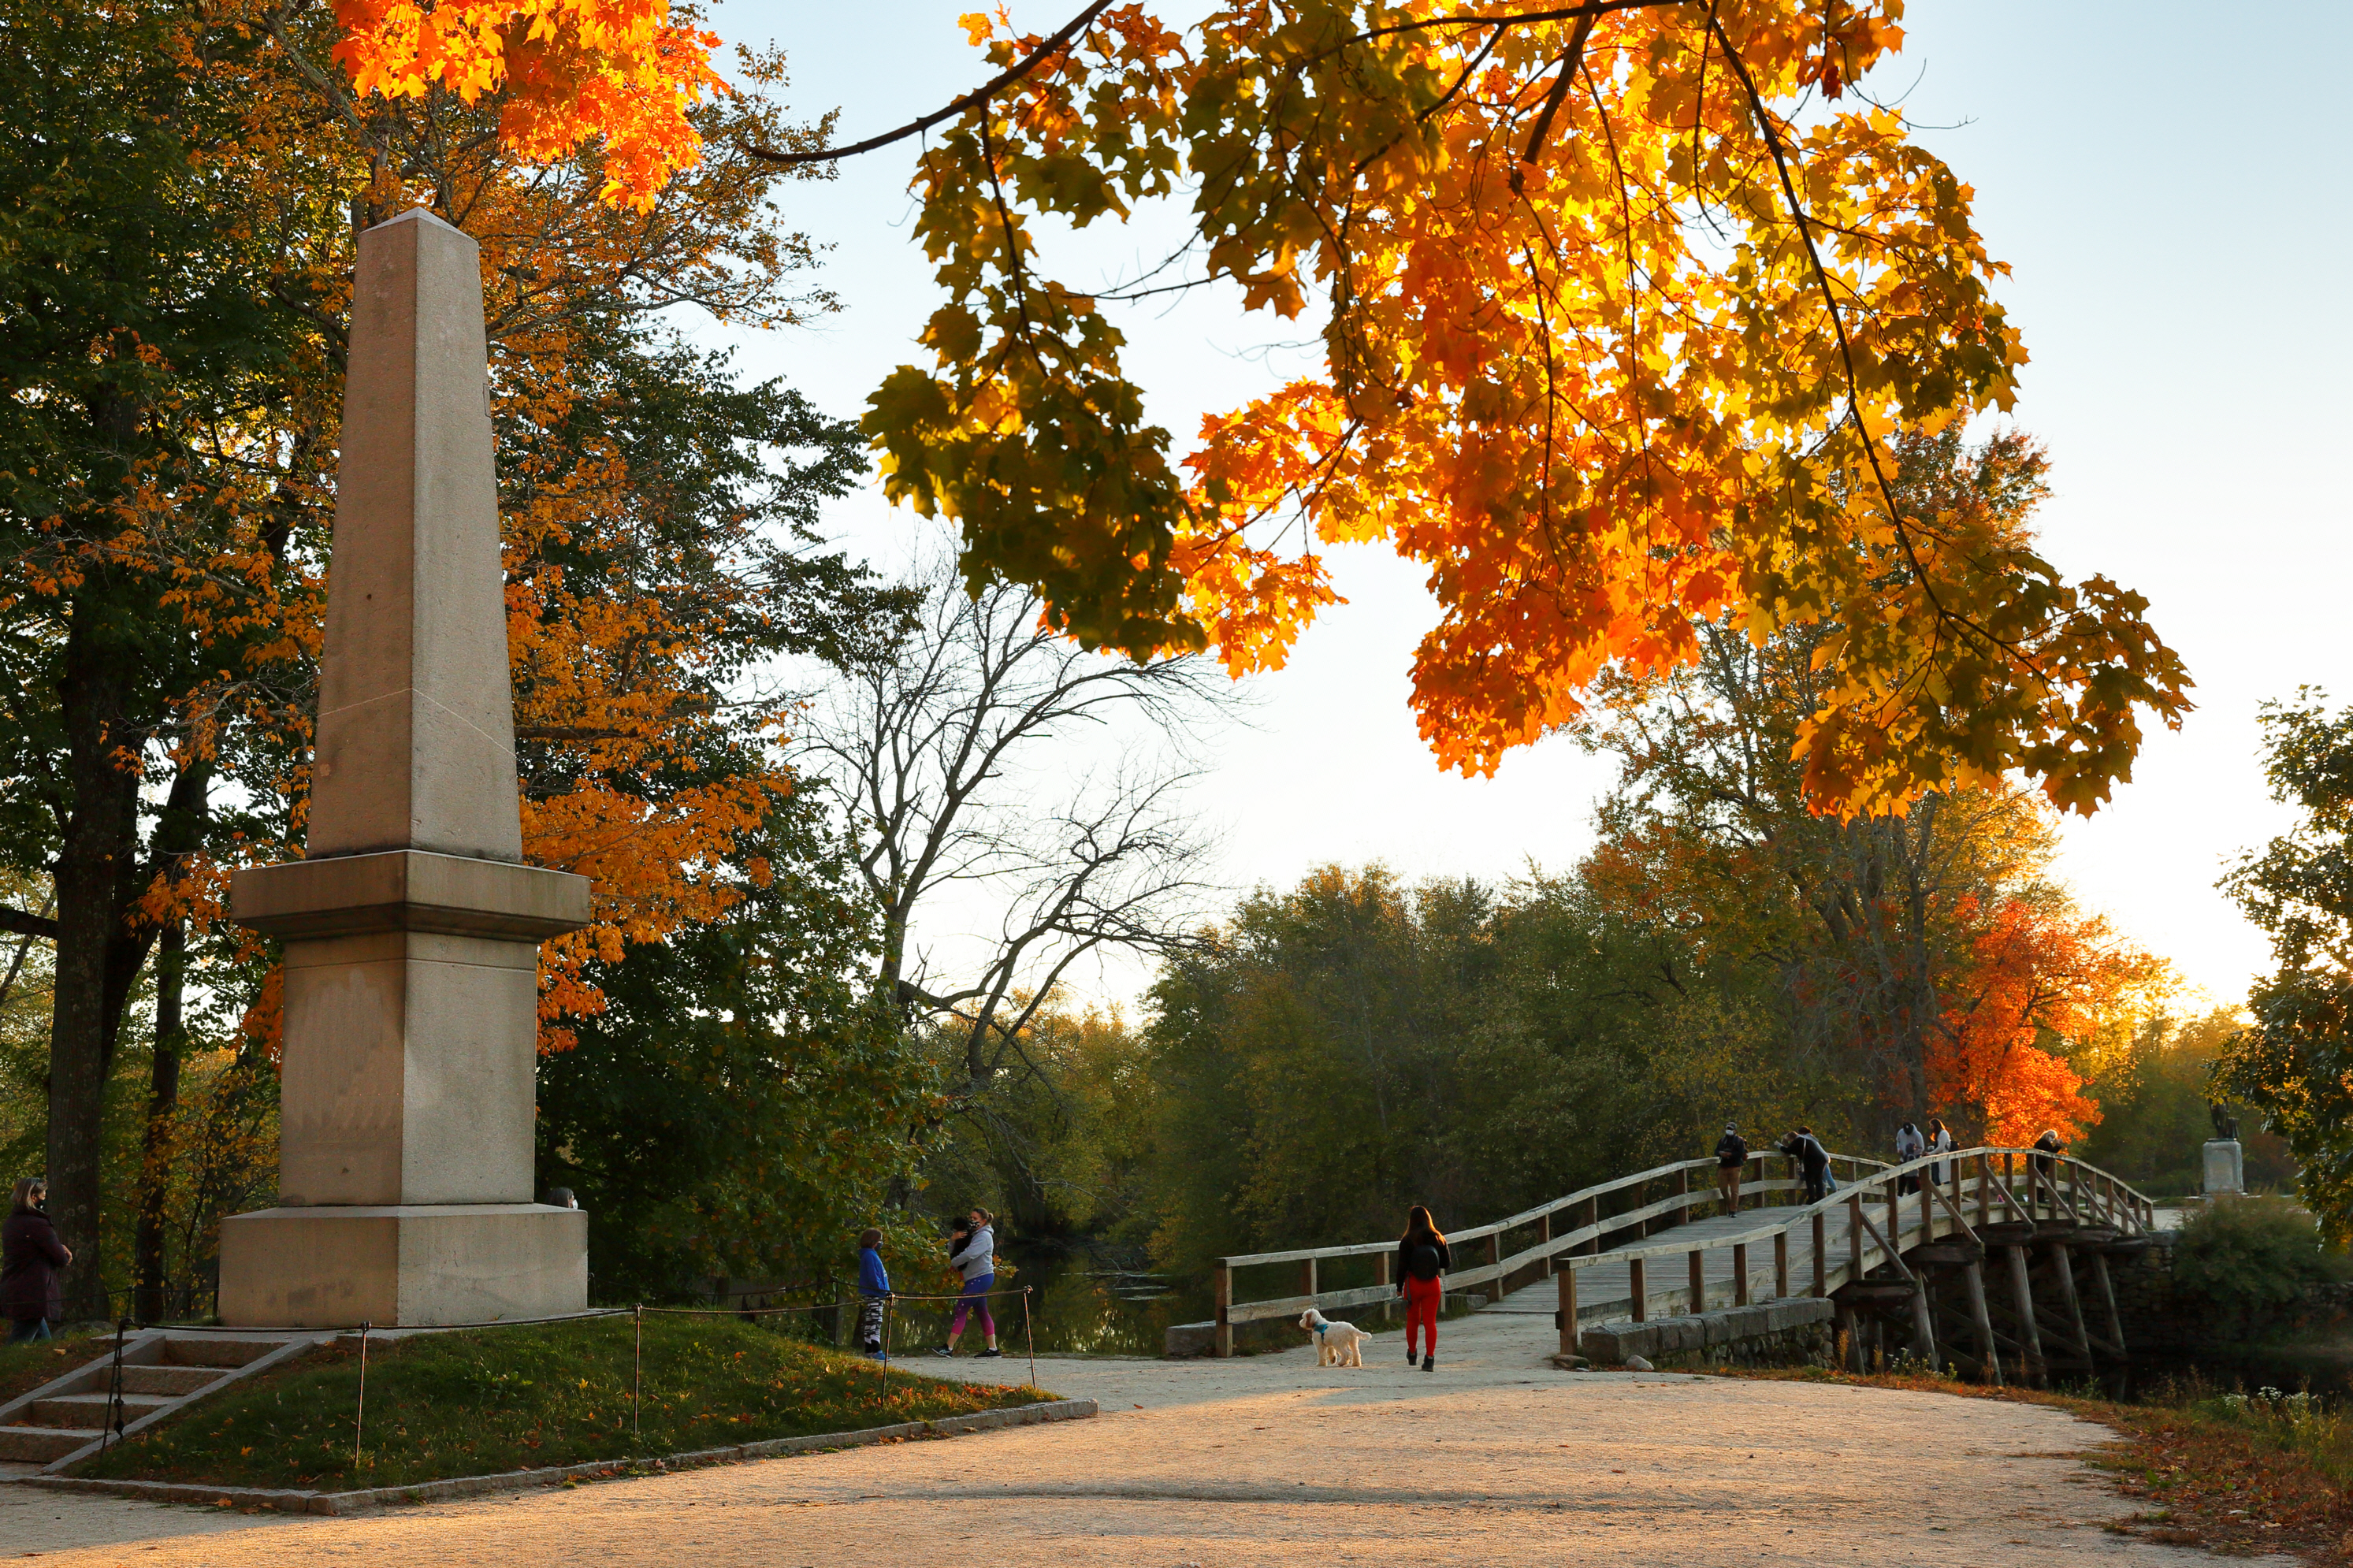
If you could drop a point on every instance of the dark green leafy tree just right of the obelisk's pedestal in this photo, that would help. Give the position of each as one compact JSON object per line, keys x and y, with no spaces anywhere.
{"x":745,"y":1101}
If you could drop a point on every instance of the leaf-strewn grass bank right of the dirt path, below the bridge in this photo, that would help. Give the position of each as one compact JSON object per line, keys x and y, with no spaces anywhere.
{"x":2225,"y":1473}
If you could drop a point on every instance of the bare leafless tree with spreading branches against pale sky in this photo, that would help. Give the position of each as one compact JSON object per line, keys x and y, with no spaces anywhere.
{"x":952,"y":755}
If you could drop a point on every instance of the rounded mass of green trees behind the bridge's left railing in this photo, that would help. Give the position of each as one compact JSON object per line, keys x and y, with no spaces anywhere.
{"x":1357,"y":1047}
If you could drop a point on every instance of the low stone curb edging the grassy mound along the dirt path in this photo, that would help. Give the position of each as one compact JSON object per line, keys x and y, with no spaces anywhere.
{"x":521,"y":1480}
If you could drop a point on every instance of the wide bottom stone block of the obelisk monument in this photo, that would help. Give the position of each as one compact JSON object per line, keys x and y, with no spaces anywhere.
{"x":413,"y":1265}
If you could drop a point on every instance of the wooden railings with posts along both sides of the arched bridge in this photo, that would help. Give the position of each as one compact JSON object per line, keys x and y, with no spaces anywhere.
{"x":2004,"y":1185}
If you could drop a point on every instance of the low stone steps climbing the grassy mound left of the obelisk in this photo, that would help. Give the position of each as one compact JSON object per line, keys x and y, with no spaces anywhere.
{"x":164,"y":1369}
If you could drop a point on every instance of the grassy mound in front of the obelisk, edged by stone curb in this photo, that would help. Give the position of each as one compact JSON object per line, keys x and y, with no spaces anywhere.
{"x":481,"y":1402}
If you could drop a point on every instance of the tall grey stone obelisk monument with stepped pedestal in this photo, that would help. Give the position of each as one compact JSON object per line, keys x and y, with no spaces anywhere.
{"x":413,"y":926}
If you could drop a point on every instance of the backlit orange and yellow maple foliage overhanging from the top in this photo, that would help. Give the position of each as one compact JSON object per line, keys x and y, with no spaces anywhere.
{"x":1620,"y":307}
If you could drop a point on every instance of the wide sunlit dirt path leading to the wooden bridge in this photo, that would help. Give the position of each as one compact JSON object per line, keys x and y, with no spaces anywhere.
{"x":1493,"y":1459}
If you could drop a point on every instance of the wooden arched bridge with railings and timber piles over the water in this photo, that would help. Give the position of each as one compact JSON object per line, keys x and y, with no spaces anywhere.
{"x":1994,"y":1261}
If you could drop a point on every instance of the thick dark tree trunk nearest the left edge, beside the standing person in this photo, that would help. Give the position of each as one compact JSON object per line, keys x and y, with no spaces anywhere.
{"x":98,"y":858}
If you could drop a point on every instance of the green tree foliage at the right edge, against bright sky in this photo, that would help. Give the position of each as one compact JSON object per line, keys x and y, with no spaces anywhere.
{"x":2295,"y":1063}
